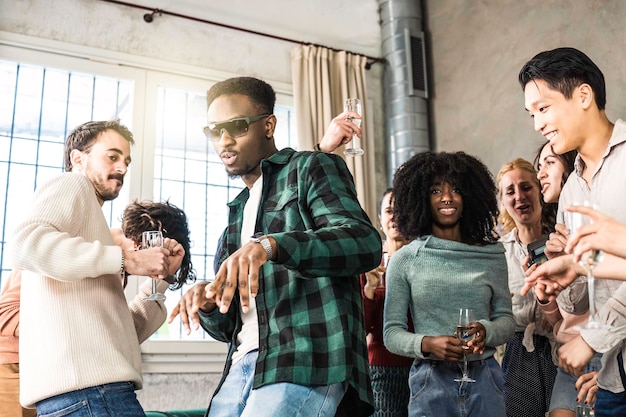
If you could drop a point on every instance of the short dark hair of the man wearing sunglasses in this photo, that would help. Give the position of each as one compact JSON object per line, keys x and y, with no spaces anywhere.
{"x":260,"y":92}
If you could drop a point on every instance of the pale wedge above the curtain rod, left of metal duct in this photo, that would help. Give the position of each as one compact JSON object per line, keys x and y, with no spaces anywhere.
{"x":341,"y":24}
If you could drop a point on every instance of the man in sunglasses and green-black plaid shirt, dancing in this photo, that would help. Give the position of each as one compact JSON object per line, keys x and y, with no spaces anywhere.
{"x":286,"y":296}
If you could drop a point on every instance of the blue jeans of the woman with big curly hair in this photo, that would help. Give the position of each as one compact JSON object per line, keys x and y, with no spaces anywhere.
{"x":434,"y":393}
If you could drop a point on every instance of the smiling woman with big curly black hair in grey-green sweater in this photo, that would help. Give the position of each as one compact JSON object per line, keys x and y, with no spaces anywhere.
{"x":447,"y":203}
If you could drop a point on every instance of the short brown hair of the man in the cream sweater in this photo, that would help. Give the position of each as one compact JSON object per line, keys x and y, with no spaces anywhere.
{"x":84,"y":136}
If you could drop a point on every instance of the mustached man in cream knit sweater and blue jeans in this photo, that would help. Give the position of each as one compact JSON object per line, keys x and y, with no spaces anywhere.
{"x":79,"y":340}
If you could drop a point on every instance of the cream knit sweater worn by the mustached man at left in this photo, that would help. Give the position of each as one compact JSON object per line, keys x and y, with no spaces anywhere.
{"x":76,"y":329}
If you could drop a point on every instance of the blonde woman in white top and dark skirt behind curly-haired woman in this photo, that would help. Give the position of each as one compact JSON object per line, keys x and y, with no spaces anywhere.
{"x":528,"y":365}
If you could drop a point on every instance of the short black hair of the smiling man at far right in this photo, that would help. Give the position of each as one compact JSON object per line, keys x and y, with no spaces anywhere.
{"x":564,"y":69}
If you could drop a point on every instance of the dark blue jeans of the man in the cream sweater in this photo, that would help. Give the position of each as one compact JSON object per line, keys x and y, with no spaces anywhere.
{"x":110,"y":400}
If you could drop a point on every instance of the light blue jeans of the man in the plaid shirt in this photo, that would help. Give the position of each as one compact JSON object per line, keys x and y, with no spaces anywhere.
{"x":237,"y":398}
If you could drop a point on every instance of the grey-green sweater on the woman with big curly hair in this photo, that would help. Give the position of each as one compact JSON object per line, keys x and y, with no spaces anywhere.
{"x":434,"y":278}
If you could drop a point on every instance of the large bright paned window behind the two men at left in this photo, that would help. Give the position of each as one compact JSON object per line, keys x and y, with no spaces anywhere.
{"x":41,"y":103}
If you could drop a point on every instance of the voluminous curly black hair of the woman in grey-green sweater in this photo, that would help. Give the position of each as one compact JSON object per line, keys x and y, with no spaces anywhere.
{"x":411,"y":190}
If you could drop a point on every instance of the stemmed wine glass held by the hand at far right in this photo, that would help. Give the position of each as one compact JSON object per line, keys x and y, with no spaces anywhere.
{"x":588,"y":261}
